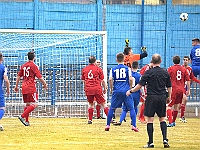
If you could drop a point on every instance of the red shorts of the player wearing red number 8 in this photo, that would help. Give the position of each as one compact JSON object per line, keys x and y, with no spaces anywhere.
{"x":176,"y":98}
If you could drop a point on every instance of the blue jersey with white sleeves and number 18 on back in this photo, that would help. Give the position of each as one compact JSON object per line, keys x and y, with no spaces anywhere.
{"x":120,"y":75}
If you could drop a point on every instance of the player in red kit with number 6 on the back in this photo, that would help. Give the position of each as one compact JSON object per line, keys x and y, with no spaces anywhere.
{"x":93,"y":77}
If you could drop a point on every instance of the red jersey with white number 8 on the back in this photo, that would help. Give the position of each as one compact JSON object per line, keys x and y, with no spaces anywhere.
{"x":178,"y":75}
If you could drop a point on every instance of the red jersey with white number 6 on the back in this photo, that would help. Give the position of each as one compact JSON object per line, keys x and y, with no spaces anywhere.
{"x":93,"y":76}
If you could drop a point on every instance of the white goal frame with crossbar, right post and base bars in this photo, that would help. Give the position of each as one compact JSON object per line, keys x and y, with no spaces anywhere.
{"x":104,"y":60}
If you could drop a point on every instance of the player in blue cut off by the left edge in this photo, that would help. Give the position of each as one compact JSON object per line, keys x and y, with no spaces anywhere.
{"x":3,"y":77}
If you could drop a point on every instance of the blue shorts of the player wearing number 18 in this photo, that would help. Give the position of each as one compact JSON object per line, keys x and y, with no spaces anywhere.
{"x":119,"y":98}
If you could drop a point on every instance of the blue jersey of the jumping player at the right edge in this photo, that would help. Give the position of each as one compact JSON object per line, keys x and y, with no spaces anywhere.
{"x":195,"y":55}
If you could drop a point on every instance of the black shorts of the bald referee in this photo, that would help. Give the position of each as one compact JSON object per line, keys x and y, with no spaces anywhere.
{"x":155,"y":104}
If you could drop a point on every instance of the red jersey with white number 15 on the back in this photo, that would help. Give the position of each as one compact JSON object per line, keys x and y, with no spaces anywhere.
{"x":29,"y":71}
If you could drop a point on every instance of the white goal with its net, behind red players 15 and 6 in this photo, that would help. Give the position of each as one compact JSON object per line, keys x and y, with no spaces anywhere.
{"x":60,"y":55}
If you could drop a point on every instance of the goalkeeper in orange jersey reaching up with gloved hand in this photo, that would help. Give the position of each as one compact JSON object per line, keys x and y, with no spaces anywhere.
{"x":129,"y":57}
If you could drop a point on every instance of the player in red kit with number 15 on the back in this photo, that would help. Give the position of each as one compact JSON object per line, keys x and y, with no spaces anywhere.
{"x":29,"y":71}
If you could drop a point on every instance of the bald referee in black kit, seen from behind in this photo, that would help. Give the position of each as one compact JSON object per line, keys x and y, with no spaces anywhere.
{"x":157,"y":80}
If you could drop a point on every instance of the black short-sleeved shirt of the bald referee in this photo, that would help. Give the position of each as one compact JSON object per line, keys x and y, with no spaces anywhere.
{"x":156,"y":79}
